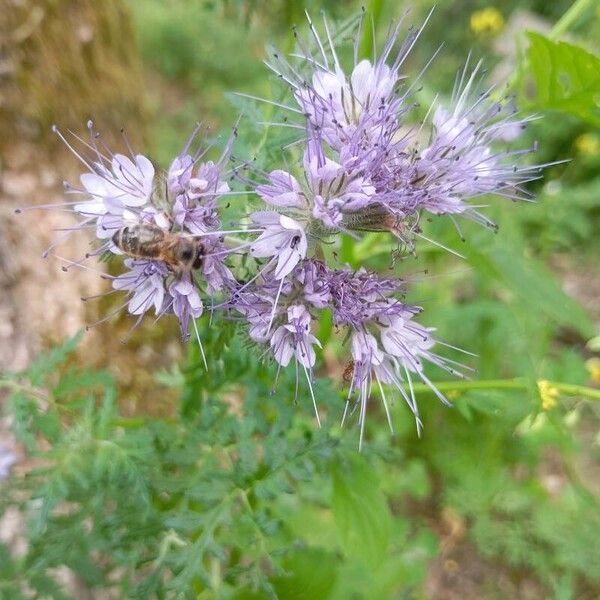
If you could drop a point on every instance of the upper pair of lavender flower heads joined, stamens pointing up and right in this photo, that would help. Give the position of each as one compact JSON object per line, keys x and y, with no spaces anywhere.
{"x":360,"y":122}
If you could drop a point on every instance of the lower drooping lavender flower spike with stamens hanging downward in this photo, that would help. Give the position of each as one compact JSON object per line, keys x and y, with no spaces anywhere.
{"x":388,"y":348}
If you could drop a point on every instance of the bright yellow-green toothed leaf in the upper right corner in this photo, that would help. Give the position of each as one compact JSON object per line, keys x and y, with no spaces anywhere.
{"x":567,"y":78}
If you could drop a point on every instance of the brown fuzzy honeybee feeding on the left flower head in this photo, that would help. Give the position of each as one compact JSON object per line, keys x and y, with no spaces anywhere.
{"x":179,"y":252}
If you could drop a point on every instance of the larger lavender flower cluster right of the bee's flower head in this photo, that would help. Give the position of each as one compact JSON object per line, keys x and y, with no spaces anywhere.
{"x":365,"y":168}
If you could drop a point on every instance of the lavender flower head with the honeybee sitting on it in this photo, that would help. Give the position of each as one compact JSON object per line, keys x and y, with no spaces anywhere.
{"x":160,"y":221}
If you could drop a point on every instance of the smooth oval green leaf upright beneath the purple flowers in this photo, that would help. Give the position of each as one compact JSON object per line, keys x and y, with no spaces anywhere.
{"x":362,"y":516}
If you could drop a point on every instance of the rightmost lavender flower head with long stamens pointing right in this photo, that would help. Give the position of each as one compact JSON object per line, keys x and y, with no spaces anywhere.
{"x":460,"y":162}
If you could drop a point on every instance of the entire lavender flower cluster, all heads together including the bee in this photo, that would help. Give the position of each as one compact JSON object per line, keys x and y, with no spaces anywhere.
{"x":364,"y":167}
